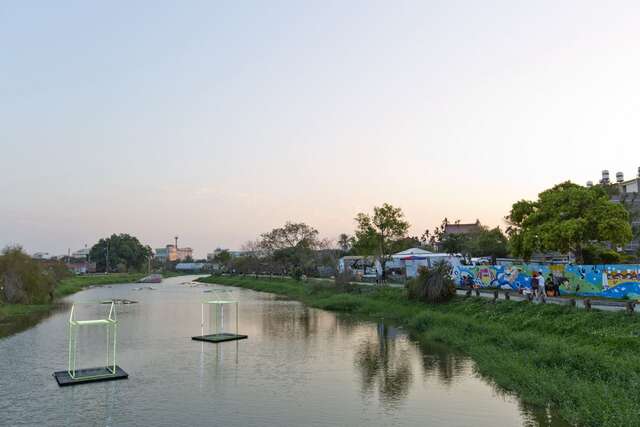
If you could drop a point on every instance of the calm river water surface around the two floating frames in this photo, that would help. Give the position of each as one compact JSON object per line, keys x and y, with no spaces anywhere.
{"x":299,"y":367}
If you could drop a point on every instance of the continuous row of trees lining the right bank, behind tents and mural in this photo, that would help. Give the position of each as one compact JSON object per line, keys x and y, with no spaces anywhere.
{"x":567,"y":218}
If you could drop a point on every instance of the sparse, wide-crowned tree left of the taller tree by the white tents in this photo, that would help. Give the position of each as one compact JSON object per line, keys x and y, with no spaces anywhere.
{"x":292,"y":246}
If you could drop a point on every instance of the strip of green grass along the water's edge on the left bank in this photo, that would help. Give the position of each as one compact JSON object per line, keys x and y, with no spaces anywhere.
{"x":10,"y":313}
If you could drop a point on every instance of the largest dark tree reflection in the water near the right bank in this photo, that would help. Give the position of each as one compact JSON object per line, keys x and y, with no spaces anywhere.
{"x":384,"y":366}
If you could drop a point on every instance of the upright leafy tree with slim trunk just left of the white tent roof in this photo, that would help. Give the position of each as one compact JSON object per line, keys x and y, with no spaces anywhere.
{"x":377,"y":232}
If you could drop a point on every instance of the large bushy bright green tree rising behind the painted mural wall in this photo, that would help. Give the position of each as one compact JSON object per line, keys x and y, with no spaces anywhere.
{"x":566,"y":218}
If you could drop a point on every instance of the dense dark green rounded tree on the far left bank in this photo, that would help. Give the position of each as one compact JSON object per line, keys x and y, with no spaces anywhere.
{"x":121,"y":251}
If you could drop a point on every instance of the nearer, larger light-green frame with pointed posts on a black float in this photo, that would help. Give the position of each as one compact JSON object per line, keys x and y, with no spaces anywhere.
{"x":111,"y":370}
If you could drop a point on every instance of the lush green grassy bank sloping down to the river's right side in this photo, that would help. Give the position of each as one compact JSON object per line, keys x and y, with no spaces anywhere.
{"x":586,"y":364}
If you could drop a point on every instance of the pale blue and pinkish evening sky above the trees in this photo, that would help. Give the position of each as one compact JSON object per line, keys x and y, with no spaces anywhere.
{"x":216,"y":121}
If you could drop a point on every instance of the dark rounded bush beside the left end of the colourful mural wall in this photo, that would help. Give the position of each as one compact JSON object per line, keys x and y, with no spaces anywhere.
{"x":432,"y":285}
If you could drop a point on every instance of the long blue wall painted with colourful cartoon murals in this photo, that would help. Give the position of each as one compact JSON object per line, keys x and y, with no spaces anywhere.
{"x":611,"y":280}
